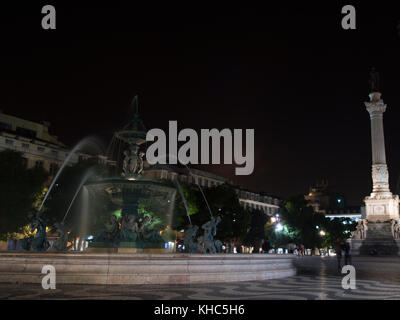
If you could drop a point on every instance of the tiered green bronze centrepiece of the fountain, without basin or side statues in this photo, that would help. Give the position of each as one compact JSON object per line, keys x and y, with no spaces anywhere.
{"x":134,"y":231}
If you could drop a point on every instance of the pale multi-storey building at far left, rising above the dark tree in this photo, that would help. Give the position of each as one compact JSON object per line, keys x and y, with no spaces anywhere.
{"x":33,"y":140}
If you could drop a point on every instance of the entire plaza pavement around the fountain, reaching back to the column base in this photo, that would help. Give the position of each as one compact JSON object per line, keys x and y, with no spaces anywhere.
{"x":317,"y":278}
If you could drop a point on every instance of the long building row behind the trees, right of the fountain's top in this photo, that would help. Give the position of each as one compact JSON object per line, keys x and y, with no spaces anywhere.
{"x":248,"y":199}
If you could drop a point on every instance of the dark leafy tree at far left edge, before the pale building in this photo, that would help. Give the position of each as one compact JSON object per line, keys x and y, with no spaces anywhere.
{"x":20,"y":188}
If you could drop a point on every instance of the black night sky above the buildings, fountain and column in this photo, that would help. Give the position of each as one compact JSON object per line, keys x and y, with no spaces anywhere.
{"x":290,"y":72}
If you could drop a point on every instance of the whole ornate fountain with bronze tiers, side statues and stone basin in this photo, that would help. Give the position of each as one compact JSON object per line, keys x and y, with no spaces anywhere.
{"x":135,"y":235}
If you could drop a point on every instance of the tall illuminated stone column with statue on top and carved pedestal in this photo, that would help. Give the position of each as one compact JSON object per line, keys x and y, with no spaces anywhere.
{"x":378,"y":232}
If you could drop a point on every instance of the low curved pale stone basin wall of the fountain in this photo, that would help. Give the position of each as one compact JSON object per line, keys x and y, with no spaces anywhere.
{"x":143,"y":268}
